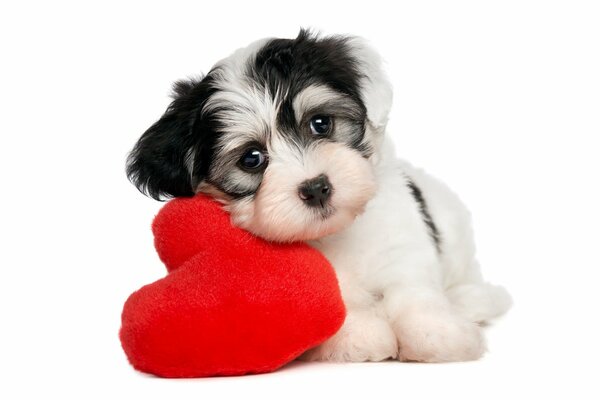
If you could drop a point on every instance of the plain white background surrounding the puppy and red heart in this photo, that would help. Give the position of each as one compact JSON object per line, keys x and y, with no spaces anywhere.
{"x":499,"y":99}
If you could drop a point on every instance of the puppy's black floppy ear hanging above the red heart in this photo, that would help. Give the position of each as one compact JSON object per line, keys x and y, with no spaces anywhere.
{"x":162,"y":162}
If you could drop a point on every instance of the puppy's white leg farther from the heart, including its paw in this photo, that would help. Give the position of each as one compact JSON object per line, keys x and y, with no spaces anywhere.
{"x":428,"y":327}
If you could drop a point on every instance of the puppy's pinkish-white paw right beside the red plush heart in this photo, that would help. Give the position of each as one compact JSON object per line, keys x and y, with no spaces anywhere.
{"x":363,"y":337}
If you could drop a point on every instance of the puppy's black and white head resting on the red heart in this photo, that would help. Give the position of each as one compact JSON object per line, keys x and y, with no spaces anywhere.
{"x":283,"y":132}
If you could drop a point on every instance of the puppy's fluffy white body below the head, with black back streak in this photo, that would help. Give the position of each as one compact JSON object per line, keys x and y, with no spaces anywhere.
{"x":406,"y":297}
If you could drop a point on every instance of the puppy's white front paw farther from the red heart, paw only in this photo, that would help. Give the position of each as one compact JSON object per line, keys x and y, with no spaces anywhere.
{"x":432,"y":337}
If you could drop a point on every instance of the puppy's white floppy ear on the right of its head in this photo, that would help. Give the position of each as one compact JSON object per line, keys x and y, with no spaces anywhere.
{"x":376,"y":90}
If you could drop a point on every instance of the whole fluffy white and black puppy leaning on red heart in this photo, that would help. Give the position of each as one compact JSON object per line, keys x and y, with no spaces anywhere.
{"x":289,"y":135}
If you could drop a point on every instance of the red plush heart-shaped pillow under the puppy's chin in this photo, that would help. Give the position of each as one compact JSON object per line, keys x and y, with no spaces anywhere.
{"x":232,"y":303}
